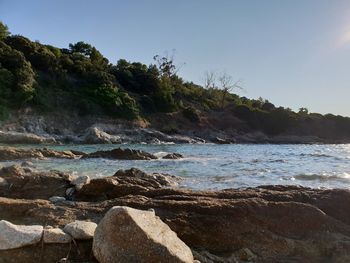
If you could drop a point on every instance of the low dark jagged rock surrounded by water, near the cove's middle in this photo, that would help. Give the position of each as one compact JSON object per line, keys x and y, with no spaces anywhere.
{"x":122,"y":154}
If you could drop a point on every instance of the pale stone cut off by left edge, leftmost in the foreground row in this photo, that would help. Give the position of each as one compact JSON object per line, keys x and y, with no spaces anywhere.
{"x":15,"y":236}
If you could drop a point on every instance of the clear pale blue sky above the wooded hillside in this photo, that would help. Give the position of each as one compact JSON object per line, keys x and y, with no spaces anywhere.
{"x":295,"y":53}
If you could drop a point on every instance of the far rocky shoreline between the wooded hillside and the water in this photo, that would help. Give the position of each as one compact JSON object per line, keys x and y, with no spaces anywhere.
{"x":60,"y":129}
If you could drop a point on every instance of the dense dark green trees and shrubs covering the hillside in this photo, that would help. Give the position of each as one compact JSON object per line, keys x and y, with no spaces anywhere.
{"x":79,"y":79}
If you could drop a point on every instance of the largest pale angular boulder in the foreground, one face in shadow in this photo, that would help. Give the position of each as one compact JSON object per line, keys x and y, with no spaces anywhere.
{"x":129,"y":235}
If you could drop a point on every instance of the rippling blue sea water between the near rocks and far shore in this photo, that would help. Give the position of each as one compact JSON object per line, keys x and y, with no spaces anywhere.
{"x":209,"y":166}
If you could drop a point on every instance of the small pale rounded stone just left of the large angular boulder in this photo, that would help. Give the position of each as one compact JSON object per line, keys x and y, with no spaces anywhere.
{"x":81,"y":230}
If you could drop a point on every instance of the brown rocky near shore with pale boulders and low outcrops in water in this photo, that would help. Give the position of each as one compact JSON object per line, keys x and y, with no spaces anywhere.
{"x":133,"y":216}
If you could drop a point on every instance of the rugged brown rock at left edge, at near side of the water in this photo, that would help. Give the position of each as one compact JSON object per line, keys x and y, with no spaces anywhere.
{"x":18,"y":182}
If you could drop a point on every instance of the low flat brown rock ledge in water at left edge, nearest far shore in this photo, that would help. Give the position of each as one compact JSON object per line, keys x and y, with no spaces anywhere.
{"x":9,"y":153}
